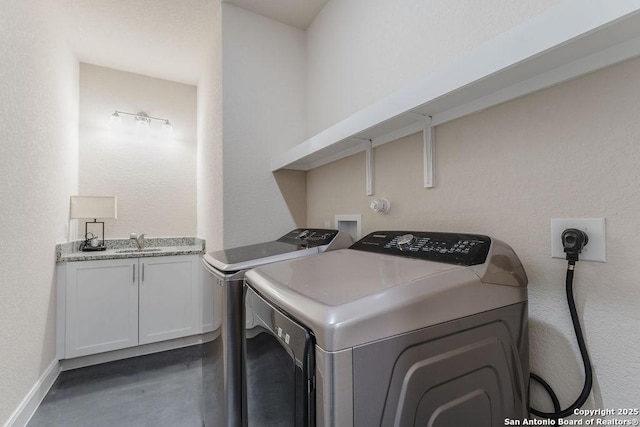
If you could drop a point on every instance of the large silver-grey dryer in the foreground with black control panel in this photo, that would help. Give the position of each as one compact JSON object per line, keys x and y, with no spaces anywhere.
{"x":402,"y":329}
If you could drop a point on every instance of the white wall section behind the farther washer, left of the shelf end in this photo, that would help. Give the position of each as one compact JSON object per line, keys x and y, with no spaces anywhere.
{"x":263,"y":107}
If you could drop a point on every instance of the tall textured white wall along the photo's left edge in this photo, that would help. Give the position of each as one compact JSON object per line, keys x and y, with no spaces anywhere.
{"x":38,"y":173}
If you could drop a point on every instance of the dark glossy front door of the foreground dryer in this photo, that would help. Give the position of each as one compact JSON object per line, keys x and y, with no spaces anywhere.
{"x":279,"y":362}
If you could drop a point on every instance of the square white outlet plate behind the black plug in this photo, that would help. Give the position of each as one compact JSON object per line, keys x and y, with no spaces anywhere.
{"x":594,"y":250}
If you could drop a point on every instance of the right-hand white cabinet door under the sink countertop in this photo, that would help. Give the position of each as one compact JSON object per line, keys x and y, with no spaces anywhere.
{"x":169,"y":295}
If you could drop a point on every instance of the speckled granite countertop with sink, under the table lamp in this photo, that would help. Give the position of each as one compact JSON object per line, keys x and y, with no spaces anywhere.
{"x":126,"y":248}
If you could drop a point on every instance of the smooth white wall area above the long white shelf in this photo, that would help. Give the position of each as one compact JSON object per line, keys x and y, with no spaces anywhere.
{"x":361,"y":50}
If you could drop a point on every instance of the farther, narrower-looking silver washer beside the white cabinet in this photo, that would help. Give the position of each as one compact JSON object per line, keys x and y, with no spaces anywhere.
{"x":222,"y":356}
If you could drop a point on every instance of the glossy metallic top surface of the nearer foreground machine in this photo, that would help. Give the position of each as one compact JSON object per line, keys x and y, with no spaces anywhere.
{"x":349,"y":297}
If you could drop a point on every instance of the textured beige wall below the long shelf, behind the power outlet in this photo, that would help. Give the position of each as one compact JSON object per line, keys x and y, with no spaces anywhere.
{"x":569,"y":151}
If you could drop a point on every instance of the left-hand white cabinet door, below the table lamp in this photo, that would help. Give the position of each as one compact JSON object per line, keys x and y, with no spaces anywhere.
{"x":101,"y":306}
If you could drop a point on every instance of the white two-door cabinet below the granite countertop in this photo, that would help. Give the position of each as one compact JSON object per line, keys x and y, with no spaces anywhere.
{"x":112,"y":304}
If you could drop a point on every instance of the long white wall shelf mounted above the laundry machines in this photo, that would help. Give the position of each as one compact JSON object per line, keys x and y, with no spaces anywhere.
{"x":569,"y":40}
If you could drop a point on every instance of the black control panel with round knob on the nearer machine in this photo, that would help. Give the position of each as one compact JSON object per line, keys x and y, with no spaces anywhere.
{"x":450,"y":248}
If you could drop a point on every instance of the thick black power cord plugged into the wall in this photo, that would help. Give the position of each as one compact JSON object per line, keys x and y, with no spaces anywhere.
{"x":573,"y":241}
